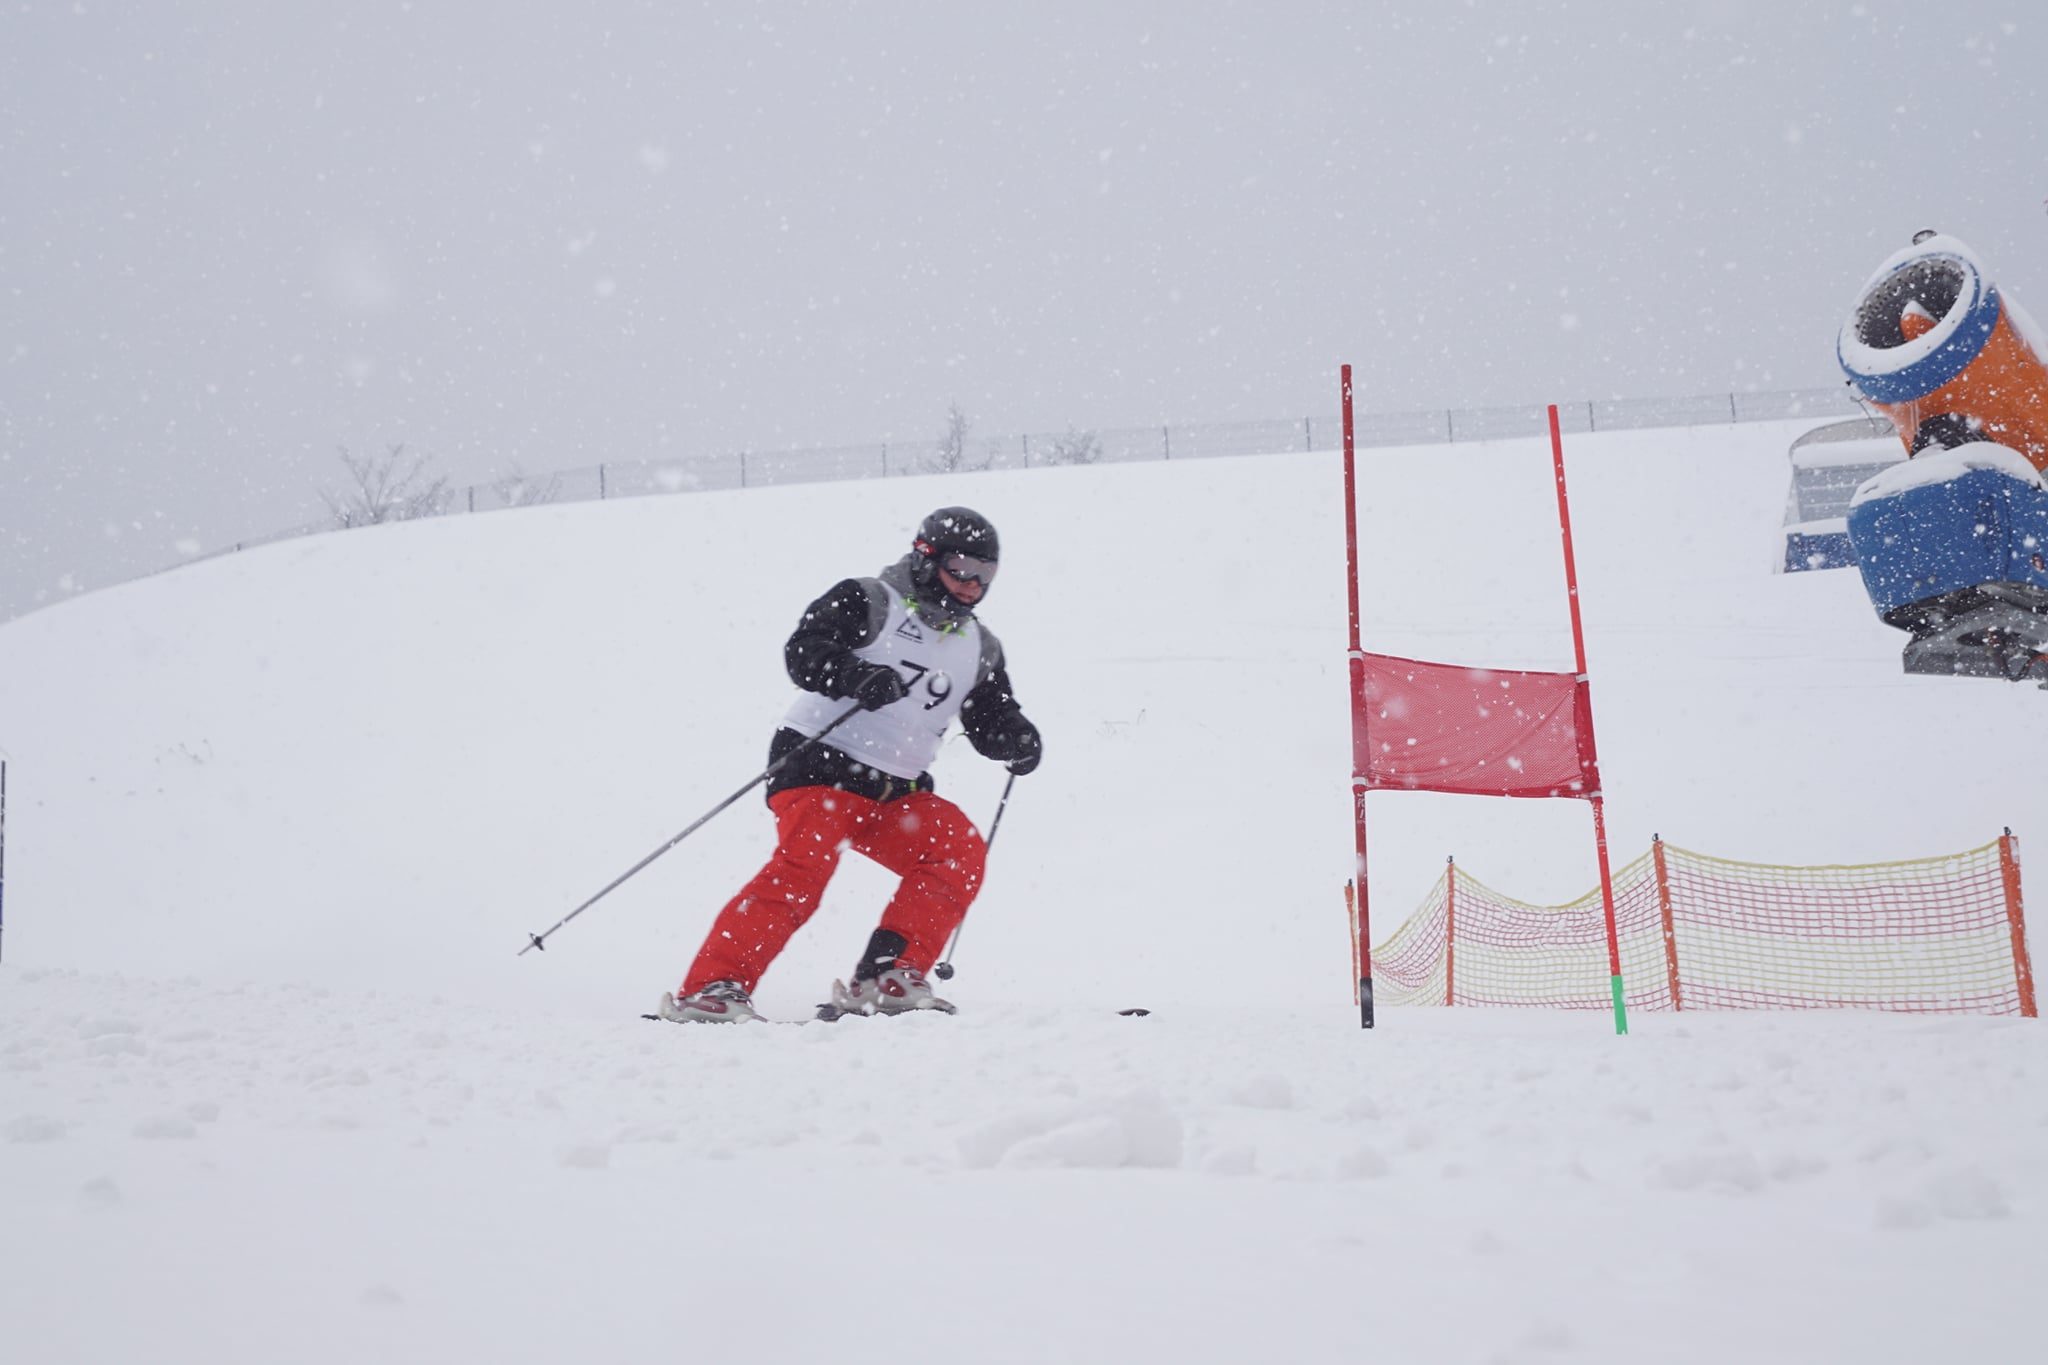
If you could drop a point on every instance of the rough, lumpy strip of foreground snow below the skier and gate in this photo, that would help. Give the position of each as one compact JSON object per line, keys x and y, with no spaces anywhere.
{"x":282,"y":1176}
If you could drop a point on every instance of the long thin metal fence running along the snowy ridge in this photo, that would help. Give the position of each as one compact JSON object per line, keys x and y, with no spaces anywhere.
{"x":744,"y":470}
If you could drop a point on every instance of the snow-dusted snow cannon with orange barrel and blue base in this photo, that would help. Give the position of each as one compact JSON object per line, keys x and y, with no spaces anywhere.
{"x":1955,"y":543}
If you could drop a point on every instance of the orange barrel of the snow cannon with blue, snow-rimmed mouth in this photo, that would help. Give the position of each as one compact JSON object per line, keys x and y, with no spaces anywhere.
{"x":1947,"y":357}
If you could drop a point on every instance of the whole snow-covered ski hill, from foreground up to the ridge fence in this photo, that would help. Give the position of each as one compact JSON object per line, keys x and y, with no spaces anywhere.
{"x":275,"y":1082}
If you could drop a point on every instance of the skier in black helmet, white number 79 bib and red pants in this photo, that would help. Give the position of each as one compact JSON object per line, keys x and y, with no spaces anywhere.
{"x":908,"y":654}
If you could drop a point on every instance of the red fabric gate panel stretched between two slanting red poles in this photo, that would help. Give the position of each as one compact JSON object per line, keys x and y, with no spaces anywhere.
{"x":1443,"y":728}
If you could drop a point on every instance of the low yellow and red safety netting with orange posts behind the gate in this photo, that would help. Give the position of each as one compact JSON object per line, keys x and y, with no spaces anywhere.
{"x":1697,"y":932}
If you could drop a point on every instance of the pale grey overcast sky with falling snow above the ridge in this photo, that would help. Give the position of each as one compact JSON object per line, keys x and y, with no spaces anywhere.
{"x":237,"y":238}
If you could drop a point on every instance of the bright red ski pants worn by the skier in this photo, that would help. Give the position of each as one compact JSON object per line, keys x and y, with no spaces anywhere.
{"x":923,"y":838}
